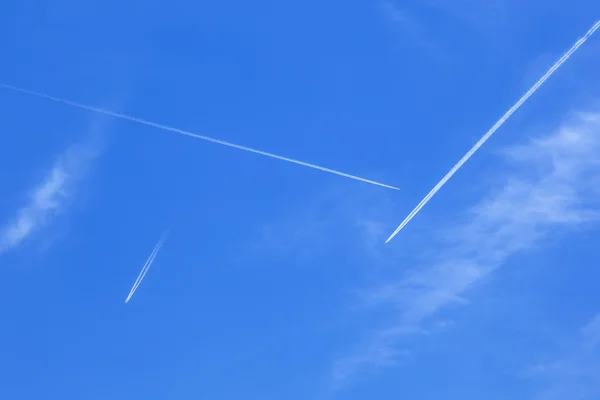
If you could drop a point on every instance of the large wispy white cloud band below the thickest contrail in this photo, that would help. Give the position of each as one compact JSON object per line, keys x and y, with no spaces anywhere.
{"x":552,"y":188}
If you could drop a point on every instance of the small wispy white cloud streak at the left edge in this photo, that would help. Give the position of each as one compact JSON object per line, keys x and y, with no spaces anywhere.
{"x":52,"y":196}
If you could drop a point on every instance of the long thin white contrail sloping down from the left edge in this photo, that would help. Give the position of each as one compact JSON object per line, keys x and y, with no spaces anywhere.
{"x":194,"y":135}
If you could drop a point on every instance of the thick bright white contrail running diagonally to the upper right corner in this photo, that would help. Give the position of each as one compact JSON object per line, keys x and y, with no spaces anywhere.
{"x":494,"y":128}
